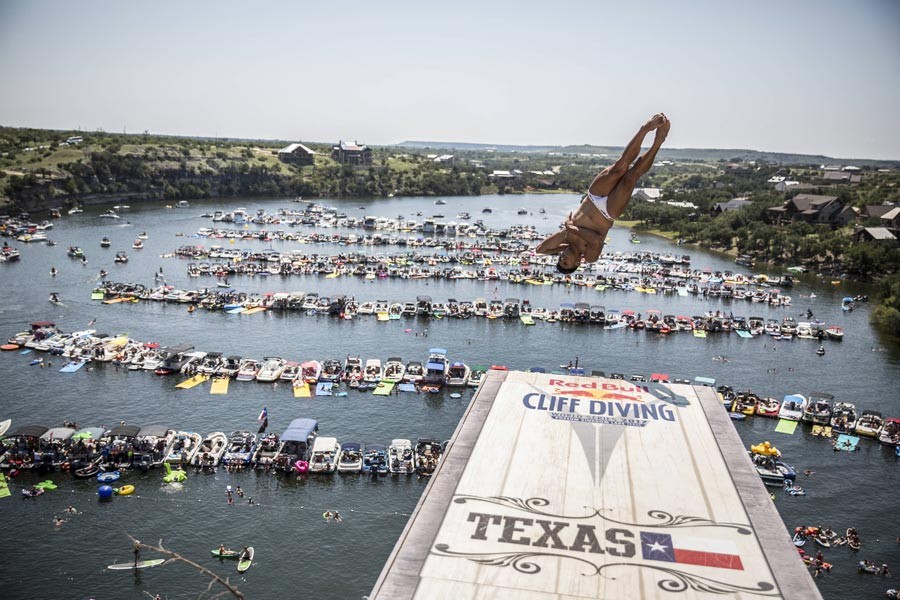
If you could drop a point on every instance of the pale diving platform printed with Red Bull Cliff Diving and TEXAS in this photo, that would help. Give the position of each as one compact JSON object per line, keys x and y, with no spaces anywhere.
{"x":560,"y":487}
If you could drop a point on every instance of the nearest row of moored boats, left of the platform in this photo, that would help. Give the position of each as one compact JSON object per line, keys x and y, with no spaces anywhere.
{"x":101,"y":453}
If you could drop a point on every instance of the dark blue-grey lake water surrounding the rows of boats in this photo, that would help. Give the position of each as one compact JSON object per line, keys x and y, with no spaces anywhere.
{"x":297,"y":552}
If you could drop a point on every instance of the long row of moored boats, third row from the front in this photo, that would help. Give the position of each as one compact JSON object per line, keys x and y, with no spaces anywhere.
{"x":348,"y":308}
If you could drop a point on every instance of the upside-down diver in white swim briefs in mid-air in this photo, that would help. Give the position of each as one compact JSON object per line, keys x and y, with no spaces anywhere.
{"x":584,"y":232}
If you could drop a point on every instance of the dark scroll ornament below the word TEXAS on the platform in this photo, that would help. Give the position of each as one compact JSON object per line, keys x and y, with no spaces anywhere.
{"x":677,"y":581}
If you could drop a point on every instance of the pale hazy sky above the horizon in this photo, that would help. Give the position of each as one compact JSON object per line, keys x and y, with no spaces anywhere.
{"x":818,"y":77}
